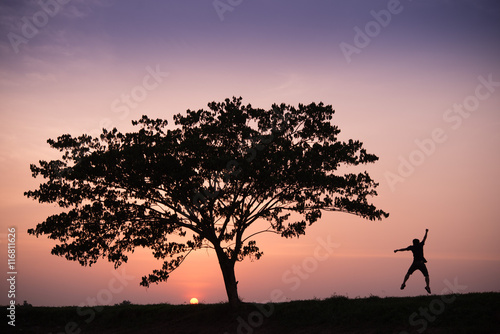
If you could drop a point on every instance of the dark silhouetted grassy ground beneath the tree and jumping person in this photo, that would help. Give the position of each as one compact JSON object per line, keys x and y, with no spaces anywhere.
{"x":461,"y":313}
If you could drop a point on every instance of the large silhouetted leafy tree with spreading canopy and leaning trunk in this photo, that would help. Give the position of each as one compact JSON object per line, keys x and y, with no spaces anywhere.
{"x":202,"y":184}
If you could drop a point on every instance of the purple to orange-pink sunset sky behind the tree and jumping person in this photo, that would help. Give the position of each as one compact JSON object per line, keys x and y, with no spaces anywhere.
{"x":418,"y":82}
